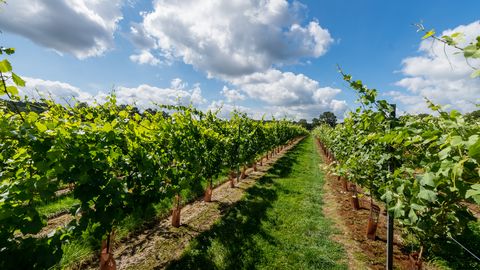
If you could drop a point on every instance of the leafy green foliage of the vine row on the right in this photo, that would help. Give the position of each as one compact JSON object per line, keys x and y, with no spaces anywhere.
{"x":436,"y":161}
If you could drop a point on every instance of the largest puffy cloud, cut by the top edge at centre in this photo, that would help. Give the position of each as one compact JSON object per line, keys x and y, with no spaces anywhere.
{"x":231,"y":38}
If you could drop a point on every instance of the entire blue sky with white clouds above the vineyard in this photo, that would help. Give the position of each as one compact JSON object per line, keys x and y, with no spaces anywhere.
{"x":269,"y":58}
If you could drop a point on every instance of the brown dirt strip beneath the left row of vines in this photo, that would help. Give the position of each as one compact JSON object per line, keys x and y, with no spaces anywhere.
{"x":154,"y":248}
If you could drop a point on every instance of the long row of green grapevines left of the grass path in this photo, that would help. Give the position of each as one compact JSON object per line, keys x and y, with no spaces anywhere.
{"x":115,"y":163}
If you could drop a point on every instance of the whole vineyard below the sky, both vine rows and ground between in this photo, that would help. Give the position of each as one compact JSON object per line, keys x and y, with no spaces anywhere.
{"x":78,"y":179}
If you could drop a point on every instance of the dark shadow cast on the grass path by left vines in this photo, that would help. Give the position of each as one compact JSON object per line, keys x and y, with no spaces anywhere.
{"x":230,"y":244}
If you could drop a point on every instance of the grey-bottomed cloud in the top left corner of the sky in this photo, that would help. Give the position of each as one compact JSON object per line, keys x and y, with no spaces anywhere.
{"x":83,"y":28}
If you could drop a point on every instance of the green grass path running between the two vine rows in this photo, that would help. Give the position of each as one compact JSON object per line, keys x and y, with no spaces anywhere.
{"x":279,"y":223}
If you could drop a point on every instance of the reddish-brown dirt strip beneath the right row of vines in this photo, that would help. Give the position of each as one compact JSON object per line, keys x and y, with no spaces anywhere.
{"x":363,"y":253}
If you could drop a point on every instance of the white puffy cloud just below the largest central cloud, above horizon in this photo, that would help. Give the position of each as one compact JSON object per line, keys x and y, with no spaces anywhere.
{"x":284,"y":94}
